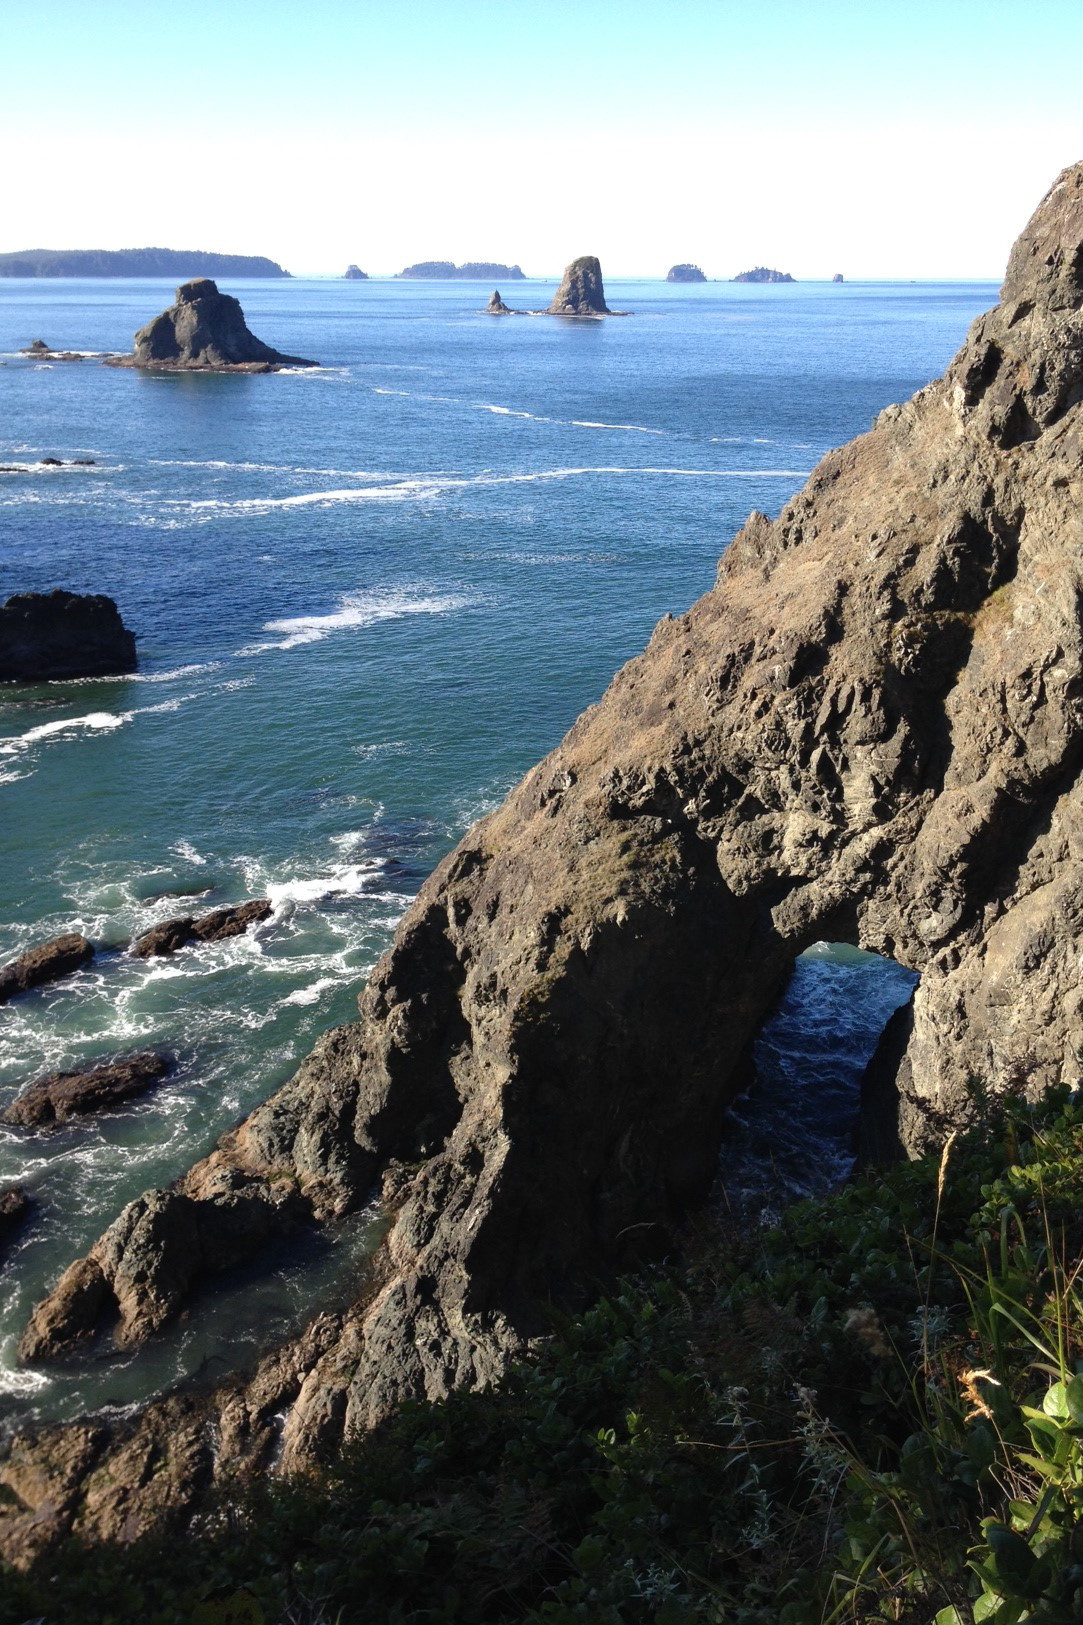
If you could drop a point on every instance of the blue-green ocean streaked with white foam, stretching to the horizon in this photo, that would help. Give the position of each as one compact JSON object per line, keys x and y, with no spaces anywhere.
{"x":368,"y":599}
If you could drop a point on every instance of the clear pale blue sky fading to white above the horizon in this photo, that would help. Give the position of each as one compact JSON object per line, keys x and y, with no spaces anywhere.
{"x":879,"y":139}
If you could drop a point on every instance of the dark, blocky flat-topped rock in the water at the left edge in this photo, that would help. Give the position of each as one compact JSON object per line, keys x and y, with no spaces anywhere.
{"x":53,"y":636}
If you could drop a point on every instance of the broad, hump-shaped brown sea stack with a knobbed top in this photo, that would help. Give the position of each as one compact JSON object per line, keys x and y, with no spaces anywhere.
{"x":204,"y":332}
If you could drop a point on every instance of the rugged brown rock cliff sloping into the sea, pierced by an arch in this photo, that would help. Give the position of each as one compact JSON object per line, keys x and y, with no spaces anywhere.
{"x":869,"y":730}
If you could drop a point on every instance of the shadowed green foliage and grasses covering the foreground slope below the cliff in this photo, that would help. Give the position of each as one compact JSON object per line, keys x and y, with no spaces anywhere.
{"x":871,"y":1413}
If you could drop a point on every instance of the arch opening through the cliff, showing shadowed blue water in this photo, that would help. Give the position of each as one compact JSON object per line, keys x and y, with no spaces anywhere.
{"x":791,"y":1133}
